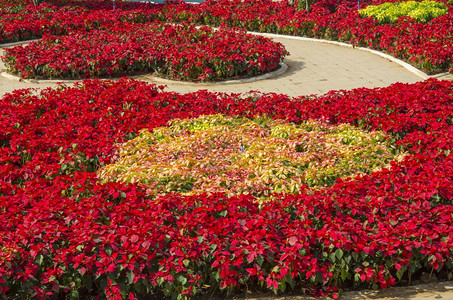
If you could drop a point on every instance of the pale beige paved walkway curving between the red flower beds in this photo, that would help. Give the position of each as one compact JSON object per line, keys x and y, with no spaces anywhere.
{"x":313,"y":68}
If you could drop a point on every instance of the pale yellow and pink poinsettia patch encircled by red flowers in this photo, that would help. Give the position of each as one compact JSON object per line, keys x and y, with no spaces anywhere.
{"x":241,"y":156}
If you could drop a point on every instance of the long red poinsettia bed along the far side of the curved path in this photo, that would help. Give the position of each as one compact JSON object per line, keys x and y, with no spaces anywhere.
{"x":427,"y":46}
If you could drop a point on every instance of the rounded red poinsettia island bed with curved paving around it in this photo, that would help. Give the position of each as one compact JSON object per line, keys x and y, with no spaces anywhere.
{"x":180,"y":52}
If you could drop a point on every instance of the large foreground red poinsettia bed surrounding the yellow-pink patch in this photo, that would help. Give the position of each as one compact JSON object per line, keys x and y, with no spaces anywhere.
{"x":62,"y":232}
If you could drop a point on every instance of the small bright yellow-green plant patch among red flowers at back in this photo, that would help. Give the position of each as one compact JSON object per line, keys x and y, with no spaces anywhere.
{"x":390,"y":12}
